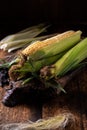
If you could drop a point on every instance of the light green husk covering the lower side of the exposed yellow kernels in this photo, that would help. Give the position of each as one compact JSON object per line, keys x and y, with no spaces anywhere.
{"x":57,"y":47}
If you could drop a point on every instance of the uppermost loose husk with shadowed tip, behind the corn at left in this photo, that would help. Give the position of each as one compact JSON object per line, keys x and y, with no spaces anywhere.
{"x":24,"y":34}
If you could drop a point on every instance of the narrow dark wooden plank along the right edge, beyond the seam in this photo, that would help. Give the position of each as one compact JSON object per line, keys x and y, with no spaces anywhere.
{"x":82,"y":83}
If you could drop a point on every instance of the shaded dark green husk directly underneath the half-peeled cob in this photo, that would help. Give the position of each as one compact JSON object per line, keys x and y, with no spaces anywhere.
{"x":34,"y":66}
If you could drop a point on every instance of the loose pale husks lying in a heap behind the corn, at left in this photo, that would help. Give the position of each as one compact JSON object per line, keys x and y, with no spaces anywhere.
{"x":20,"y":39}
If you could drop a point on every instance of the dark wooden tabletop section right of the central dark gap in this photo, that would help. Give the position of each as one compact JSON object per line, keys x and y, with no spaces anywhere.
{"x":75,"y":101}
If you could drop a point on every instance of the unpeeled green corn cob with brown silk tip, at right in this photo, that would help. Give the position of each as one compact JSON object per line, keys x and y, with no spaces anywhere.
{"x":68,"y":62}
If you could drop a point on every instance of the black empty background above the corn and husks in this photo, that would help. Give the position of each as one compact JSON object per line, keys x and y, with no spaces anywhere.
{"x":62,"y":14}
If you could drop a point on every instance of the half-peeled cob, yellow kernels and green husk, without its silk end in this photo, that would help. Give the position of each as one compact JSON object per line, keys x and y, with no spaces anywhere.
{"x":52,"y":46}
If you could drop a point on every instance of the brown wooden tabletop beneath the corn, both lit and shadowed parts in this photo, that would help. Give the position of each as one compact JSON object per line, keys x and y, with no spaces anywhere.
{"x":75,"y":102}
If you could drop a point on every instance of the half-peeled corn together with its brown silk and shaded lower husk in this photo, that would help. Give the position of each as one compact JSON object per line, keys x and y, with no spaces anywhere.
{"x":65,"y":41}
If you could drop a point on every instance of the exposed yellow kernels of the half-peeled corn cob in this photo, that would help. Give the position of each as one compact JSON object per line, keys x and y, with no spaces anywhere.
{"x":38,"y":45}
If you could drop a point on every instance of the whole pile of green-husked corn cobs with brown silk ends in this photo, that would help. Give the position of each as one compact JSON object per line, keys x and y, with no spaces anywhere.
{"x":50,"y":58}
